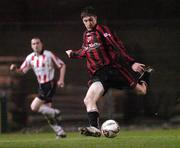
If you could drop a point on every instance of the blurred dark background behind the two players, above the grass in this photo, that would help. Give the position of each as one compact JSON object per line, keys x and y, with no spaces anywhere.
{"x":150,"y":30}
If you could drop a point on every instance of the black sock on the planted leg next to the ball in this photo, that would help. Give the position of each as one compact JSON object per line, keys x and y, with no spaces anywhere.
{"x":93,"y":118}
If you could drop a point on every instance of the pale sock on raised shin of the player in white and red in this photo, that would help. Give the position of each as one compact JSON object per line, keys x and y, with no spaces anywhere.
{"x":46,"y":110}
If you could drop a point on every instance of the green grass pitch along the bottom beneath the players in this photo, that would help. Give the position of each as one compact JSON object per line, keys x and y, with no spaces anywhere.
{"x":126,"y":139}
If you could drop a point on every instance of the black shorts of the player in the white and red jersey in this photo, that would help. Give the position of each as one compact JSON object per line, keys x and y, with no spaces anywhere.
{"x":47,"y":90}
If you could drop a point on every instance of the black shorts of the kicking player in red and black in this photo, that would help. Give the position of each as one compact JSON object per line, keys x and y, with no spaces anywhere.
{"x":110,"y":77}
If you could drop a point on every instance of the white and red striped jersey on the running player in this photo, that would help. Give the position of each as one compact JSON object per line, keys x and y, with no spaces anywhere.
{"x":42,"y":65}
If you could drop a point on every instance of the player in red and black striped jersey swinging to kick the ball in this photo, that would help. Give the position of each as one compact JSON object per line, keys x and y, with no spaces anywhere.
{"x":109,"y":66}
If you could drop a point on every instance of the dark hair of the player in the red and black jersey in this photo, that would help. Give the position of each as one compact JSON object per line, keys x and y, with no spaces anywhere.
{"x":88,"y":11}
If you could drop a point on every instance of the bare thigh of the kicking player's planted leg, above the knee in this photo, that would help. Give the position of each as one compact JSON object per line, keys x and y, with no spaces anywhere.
{"x":95,"y":91}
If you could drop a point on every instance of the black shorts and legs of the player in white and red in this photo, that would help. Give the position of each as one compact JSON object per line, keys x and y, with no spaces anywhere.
{"x":43,"y":105}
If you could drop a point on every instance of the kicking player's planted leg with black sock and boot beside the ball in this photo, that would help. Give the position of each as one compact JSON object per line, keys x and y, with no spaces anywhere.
{"x":94,"y":93}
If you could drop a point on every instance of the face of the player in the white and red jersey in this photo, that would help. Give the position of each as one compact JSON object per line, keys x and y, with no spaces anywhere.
{"x":36,"y":45}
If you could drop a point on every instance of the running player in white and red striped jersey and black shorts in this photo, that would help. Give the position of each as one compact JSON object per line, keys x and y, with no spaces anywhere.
{"x":43,"y":63}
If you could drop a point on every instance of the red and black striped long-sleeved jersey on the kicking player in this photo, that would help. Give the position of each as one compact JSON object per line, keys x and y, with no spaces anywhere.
{"x":101,"y":47}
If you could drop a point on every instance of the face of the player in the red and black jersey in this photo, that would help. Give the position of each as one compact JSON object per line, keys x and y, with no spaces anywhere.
{"x":90,"y":22}
